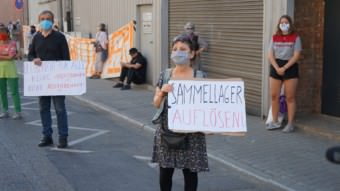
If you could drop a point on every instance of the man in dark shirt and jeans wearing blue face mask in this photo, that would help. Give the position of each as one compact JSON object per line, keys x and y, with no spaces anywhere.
{"x":50,"y":45}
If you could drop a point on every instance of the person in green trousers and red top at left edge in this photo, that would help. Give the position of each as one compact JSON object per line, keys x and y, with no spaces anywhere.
{"x":8,"y":74}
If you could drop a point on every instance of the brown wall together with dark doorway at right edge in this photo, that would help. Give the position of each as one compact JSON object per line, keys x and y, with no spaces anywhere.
{"x":319,"y":89}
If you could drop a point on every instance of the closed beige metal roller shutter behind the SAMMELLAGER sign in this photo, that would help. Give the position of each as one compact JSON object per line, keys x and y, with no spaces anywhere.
{"x":234,"y":32}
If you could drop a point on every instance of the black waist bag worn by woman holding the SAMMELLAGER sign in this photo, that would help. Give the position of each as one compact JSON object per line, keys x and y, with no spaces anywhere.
{"x":174,"y":141}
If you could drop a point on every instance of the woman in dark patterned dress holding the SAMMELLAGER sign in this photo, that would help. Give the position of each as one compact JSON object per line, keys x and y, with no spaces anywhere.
{"x":192,"y":158}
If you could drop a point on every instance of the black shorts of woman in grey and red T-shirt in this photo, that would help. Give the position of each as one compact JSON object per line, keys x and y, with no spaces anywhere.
{"x":291,"y":72}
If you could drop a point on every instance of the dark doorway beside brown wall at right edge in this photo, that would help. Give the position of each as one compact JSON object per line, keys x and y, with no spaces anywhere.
{"x":331,"y":68}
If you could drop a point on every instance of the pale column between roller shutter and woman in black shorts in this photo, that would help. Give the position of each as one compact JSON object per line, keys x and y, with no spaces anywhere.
{"x":273,"y":10}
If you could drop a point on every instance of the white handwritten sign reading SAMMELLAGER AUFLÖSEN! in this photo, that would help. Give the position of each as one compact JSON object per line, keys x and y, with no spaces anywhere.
{"x":207,"y":106}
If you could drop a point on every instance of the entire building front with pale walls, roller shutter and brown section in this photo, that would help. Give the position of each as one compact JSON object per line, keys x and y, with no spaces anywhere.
{"x":238,"y":34}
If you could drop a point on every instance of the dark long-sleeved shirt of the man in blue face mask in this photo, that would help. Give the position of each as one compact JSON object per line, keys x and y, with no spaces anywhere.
{"x":52,"y":48}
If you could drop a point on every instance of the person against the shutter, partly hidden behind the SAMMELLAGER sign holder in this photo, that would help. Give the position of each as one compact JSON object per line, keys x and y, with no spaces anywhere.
{"x":199,"y":44}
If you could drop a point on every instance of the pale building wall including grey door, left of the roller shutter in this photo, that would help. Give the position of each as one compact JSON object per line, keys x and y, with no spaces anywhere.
{"x":151,"y":19}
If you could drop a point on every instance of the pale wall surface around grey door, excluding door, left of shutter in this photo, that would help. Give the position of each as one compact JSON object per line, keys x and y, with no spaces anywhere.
{"x":87,"y":14}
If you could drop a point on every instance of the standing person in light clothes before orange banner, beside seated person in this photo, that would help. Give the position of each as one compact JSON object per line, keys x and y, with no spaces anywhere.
{"x":101,"y":46}
